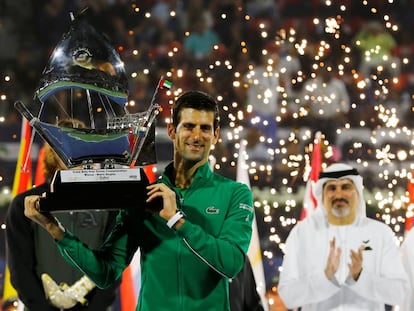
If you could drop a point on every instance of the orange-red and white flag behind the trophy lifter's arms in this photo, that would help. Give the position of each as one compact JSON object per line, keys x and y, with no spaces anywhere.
{"x":131,"y":277}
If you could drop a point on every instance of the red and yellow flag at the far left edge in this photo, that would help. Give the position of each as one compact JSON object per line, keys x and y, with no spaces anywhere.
{"x":22,"y":182}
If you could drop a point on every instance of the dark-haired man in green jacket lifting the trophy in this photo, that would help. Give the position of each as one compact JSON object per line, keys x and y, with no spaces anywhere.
{"x":194,"y":243}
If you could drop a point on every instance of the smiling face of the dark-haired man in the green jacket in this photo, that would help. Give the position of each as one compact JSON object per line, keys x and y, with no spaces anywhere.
{"x":193,"y":136}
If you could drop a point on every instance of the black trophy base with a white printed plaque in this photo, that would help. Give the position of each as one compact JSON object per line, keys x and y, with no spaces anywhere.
{"x":96,"y":189}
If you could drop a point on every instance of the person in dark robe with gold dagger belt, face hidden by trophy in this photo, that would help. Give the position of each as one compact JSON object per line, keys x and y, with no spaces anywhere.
{"x":42,"y":279}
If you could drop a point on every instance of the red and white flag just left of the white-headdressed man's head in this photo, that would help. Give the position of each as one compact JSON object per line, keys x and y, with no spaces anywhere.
{"x":309,"y":201}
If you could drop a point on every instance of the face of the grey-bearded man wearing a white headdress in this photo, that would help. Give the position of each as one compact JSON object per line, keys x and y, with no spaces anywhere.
{"x":340,"y":198}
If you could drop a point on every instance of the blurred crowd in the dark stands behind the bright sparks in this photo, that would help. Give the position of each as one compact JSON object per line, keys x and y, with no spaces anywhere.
{"x":217,"y":46}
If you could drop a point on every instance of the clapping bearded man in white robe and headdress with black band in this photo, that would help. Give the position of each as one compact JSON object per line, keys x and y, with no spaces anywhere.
{"x":339,"y":259}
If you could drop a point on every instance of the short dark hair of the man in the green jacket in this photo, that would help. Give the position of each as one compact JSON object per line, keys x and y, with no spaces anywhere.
{"x":196,"y":100}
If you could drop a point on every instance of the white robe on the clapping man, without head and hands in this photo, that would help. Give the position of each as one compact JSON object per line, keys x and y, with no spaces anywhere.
{"x":303,"y":282}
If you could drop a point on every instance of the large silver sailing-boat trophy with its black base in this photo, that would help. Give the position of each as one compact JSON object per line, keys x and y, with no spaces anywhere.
{"x":85,"y":79}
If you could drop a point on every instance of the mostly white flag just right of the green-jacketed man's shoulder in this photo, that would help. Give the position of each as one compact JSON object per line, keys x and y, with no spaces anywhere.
{"x":254,"y":252}
